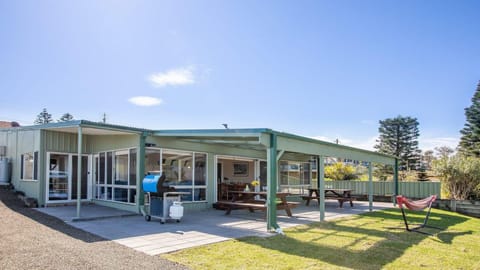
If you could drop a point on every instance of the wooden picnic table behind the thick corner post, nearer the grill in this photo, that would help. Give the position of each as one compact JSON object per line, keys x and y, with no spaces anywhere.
{"x":246,"y":200}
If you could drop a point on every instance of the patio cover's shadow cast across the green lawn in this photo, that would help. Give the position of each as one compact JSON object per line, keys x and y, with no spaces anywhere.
{"x":356,"y":244}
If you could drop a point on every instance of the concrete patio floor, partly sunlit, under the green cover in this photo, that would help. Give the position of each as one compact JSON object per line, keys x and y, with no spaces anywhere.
{"x":196,"y":227}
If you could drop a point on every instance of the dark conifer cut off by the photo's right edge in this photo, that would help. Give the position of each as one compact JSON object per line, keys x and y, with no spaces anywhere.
{"x":470,"y":140}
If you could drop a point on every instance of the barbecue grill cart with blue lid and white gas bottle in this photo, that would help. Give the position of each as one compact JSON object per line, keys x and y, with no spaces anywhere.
{"x":161,"y":204}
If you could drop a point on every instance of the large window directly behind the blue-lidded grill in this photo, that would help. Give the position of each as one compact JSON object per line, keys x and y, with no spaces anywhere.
{"x":184,"y":171}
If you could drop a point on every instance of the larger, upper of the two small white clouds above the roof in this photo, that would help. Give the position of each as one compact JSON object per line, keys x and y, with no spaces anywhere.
{"x":178,"y":76}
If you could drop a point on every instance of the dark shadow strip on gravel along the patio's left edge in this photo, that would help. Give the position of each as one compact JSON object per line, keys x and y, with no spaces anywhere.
{"x":10,"y":200}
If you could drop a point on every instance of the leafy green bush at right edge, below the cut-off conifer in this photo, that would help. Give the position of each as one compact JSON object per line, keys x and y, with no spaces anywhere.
{"x":460,"y":176}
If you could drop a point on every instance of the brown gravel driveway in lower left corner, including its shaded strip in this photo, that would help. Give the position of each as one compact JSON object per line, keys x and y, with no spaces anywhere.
{"x":32,"y":240}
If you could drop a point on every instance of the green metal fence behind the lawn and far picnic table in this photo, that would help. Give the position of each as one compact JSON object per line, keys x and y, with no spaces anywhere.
{"x":381,"y":188}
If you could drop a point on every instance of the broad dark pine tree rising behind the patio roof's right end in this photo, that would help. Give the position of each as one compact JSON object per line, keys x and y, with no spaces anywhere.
{"x":399,"y":137}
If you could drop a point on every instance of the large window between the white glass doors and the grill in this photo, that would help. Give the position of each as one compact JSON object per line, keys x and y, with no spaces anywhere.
{"x":116,"y":176}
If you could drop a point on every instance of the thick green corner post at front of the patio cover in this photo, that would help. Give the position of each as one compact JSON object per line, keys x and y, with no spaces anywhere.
{"x":272,"y":183}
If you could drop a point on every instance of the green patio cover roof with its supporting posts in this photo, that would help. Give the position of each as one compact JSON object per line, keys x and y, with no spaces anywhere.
{"x":278,"y":145}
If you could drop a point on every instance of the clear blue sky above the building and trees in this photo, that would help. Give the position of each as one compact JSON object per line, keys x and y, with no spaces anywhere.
{"x":323,"y":69}
